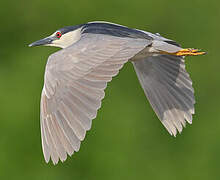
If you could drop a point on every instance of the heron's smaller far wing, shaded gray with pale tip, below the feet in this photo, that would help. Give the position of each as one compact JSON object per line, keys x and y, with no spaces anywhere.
{"x":169,"y":89}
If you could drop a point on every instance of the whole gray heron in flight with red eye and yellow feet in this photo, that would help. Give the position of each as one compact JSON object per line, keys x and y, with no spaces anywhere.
{"x":91,"y":55}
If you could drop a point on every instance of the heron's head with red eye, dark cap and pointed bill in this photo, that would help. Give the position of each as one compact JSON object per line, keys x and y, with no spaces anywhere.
{"x":62,"y":38}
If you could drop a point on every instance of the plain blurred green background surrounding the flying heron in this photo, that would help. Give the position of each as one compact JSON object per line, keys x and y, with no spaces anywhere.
{"x":127,"y":141}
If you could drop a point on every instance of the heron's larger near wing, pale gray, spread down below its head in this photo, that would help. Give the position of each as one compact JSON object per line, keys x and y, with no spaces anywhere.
{"x":75,"y":80}
